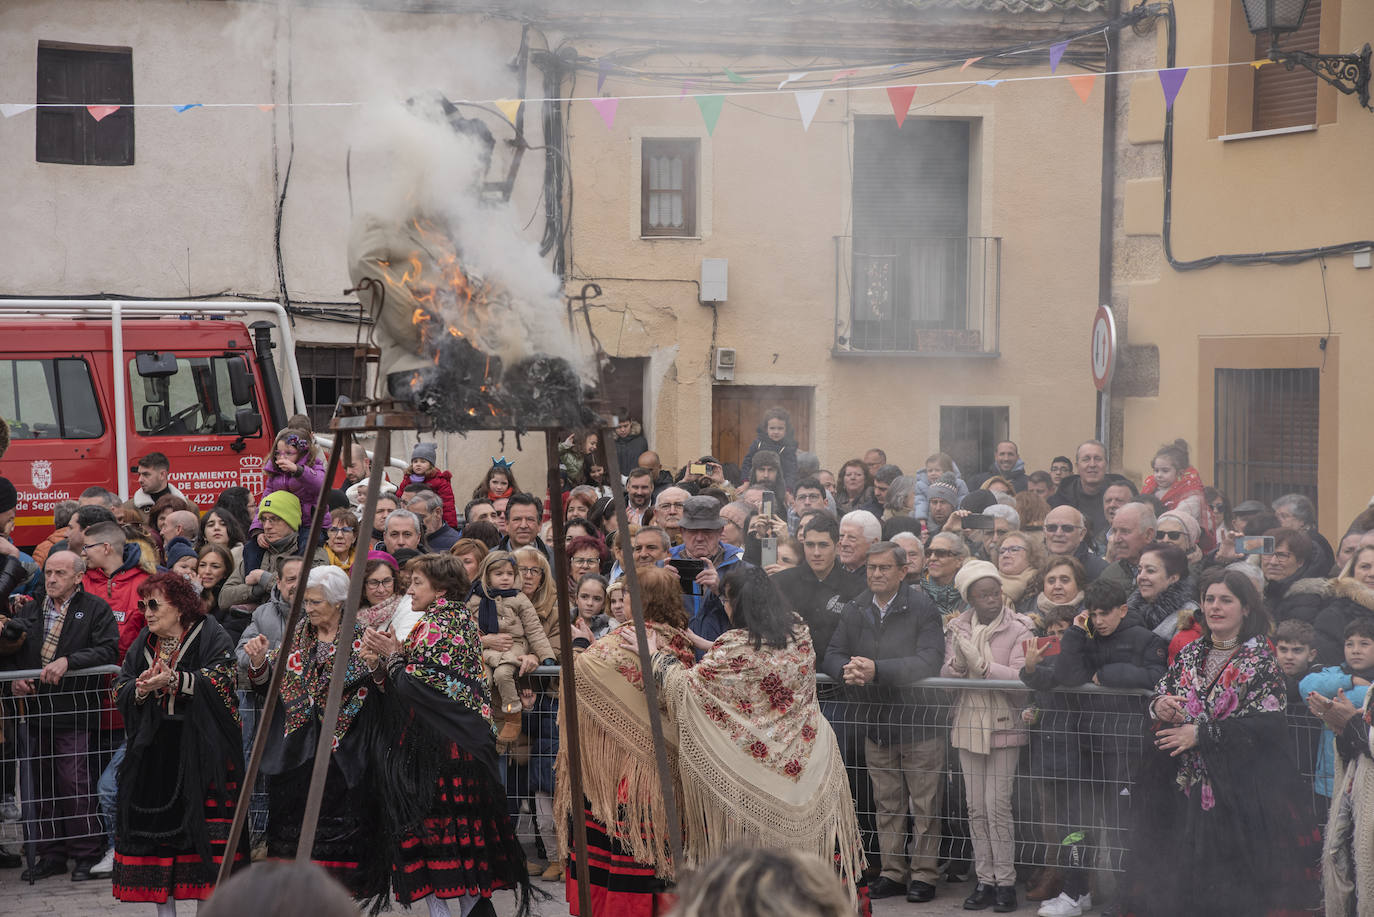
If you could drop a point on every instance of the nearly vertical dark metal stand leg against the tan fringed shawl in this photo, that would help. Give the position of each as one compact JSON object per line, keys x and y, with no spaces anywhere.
{"x":572,"y":729}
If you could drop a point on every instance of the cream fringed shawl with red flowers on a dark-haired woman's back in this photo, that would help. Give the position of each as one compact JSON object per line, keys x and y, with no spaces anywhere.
{"x":759,"y":764}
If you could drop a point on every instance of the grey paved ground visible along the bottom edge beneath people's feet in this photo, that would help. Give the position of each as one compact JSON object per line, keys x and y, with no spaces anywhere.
{"x":60,"y":896}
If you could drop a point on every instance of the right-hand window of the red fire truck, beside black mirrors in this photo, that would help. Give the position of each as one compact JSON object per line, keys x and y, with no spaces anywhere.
{"x":194,"y":402}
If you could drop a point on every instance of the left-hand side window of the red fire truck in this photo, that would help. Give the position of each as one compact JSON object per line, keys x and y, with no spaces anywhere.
{"x":50,"y":401}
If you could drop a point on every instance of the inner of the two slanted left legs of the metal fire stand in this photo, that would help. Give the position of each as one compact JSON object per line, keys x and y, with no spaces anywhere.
{"x":343,"y":645}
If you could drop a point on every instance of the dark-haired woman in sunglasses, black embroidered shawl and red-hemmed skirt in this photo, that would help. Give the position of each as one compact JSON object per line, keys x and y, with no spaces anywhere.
{"x":181,"y":777}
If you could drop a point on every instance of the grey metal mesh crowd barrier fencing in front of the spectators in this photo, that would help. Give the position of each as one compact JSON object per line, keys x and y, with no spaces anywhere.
{"x":1075,"y":772}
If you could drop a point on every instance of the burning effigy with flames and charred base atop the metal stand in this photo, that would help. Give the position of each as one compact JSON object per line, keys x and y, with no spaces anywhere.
{"x":465,"y":349}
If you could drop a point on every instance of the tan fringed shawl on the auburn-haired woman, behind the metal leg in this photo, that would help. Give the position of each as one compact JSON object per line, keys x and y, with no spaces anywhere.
{"x":620,"y":776}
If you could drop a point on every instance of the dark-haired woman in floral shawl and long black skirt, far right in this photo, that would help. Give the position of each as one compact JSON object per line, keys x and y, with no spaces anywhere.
{"x":1224,"y":823}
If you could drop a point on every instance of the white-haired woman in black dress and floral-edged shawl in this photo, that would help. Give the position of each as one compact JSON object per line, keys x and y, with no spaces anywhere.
{"x":344,"y":831}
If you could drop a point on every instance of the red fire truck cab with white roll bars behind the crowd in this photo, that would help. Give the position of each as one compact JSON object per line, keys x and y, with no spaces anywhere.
{"x":89,"y":387}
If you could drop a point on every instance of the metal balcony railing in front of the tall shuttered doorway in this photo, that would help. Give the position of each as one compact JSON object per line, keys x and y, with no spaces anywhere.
{"x":908,"y":295}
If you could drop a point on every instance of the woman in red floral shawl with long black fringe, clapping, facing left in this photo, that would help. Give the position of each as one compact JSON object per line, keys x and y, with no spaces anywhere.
{"x":432,"y":753}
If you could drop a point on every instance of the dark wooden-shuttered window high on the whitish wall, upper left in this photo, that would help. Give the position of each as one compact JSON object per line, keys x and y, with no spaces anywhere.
{"x":74,"y":78}
